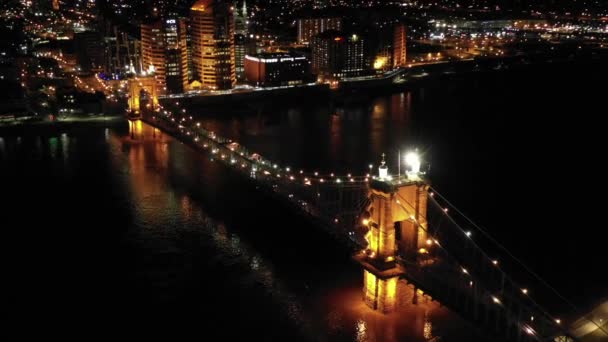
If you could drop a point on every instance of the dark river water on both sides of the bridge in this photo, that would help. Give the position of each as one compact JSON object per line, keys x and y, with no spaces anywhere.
{"x":108,"y":233}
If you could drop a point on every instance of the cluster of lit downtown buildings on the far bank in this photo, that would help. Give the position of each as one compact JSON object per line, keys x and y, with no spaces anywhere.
{"x":186,"y":45}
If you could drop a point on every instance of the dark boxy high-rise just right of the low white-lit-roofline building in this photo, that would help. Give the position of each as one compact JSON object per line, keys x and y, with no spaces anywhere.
{"x":339,"y":55}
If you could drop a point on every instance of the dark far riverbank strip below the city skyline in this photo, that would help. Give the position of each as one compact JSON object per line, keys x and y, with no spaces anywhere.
{"x":357,"y":90}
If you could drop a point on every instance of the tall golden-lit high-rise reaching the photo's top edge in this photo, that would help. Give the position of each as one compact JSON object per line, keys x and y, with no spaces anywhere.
{"x":213,"y":53}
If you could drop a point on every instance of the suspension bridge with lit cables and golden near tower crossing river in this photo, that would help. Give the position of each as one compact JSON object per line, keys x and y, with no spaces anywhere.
{"x":408,"y":238}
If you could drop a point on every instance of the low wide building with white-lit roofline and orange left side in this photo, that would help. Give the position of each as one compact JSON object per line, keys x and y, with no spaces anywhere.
{"x":277,"y":69}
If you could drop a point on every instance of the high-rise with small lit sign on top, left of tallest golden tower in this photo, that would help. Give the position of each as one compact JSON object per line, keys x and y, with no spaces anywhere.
{"x":164,"y":53}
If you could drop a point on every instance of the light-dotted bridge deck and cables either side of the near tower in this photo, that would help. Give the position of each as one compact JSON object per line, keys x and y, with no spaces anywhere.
{"x":492,"y":302}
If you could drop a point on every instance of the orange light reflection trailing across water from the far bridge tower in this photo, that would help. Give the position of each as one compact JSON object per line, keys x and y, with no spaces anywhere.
{"x":151,"y":156}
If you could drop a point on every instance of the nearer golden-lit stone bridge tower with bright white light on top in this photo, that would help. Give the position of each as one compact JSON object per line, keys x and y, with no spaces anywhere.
{"x":397,"y":227}
